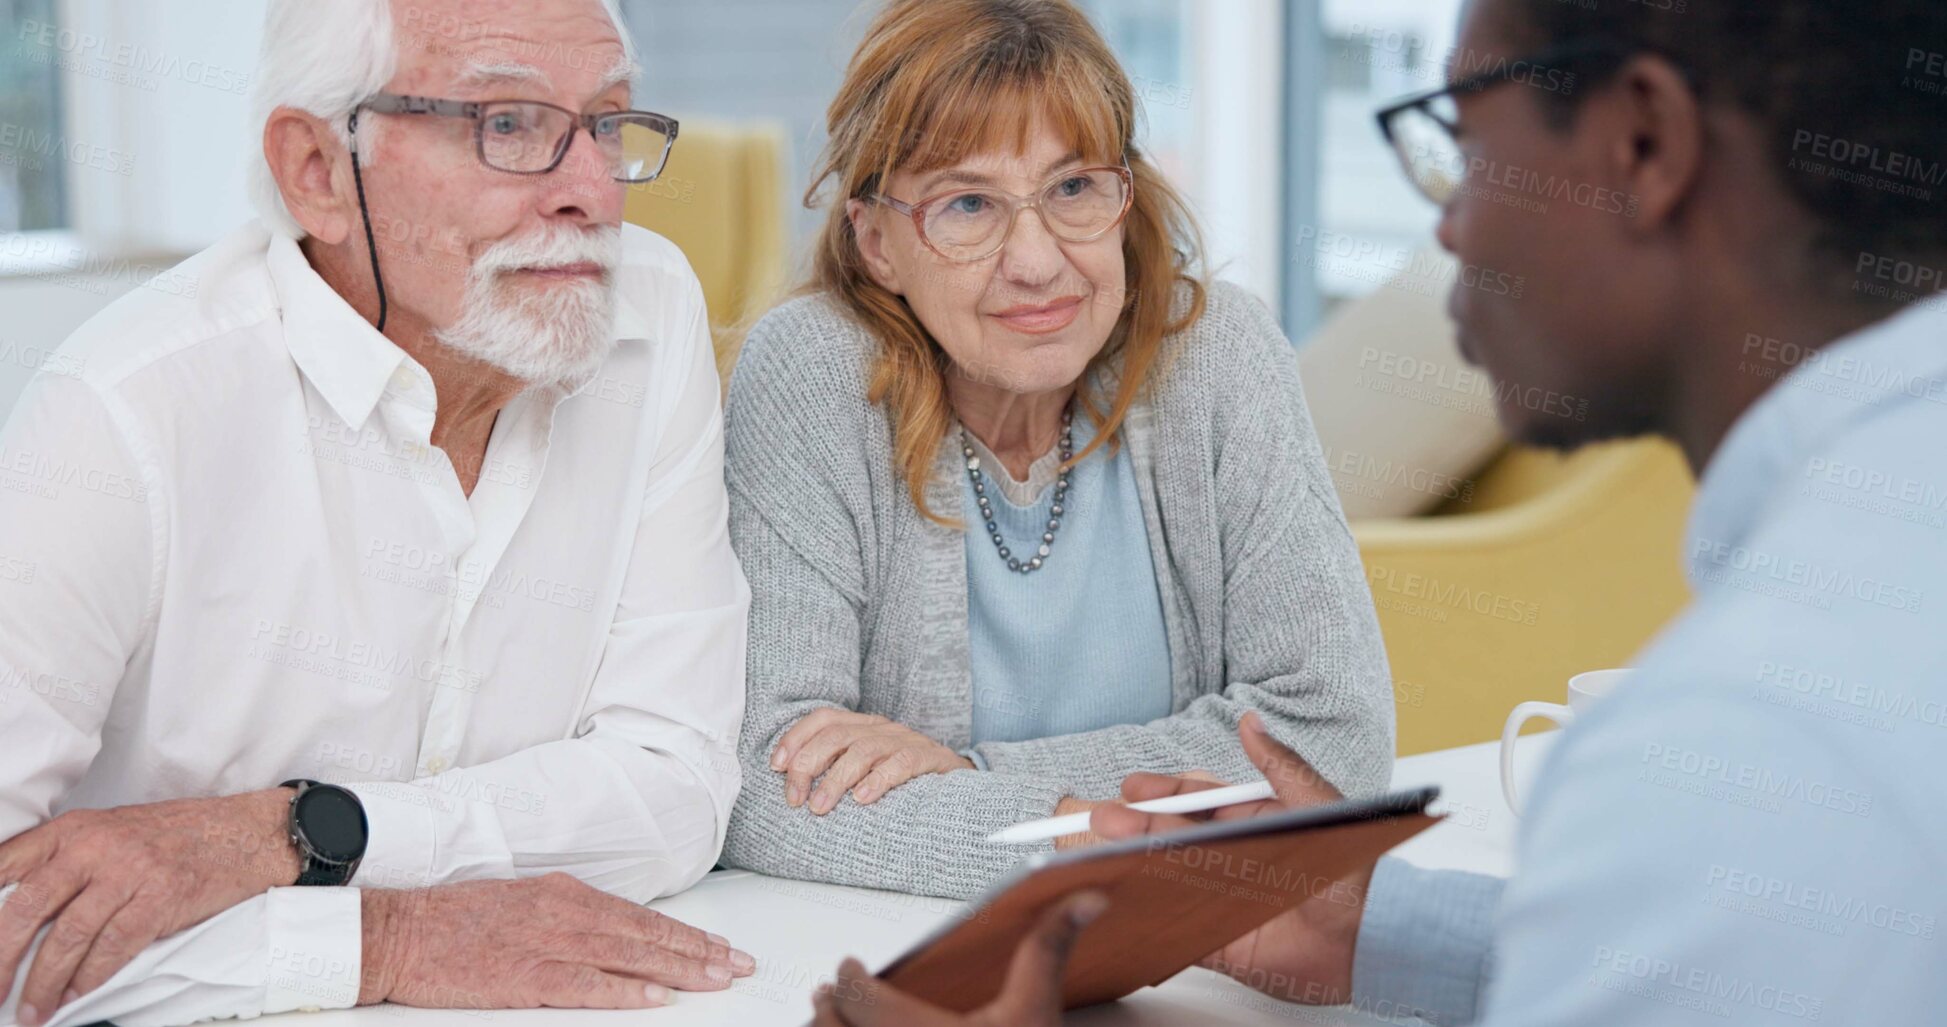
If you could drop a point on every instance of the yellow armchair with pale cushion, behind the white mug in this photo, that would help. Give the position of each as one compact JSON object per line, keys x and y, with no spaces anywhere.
{"x":1562,"y":564}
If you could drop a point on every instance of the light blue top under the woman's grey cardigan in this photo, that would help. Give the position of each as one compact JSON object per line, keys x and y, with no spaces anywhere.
{"x":1080,"y":644}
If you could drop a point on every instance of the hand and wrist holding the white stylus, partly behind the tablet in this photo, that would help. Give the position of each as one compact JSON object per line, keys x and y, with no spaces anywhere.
{"x":1304,"y":956}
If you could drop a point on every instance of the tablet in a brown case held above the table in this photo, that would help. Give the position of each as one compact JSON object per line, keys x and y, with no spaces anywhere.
{"x":1173,"y":899}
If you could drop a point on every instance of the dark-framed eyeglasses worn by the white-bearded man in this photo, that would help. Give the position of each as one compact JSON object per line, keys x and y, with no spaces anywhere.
{"x":527,"y":137}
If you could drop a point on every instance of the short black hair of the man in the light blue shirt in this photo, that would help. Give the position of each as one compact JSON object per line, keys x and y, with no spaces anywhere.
{"x":1851,"y":93}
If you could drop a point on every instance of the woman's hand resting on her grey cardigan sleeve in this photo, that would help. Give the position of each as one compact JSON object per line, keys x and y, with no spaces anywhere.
{"x":856,"y":753}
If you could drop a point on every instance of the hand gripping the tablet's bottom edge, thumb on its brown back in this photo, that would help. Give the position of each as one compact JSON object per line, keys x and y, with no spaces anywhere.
{"x":1031,"y":997}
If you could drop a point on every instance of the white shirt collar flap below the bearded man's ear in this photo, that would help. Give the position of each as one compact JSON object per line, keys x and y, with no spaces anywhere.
{"x":334,"y":346}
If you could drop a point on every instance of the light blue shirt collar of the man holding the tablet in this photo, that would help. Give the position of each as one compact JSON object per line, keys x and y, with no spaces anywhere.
{"x":1893,"y":361}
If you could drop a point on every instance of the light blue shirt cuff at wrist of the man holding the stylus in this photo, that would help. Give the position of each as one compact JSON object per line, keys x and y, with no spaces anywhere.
{"x":1424,"y":944}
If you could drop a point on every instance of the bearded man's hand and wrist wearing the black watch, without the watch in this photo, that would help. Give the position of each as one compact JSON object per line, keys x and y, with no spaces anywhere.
{"x":116,"y":880}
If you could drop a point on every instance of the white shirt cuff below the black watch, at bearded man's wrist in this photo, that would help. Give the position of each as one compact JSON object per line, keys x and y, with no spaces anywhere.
{"x":314,"y":952}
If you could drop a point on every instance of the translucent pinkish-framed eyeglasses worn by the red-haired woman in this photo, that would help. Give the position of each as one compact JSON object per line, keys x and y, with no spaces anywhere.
{"x":973,"y":225}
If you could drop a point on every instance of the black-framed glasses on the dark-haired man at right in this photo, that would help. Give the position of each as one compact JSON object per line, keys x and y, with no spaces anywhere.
{"x":1424,"y":130}
